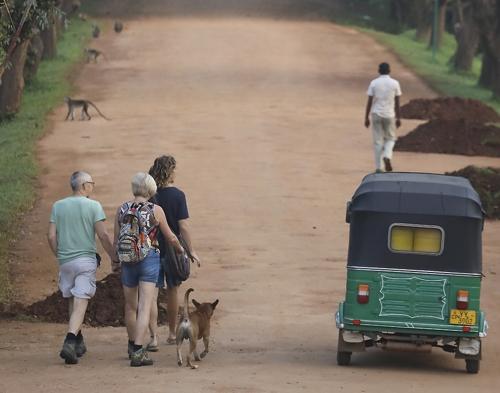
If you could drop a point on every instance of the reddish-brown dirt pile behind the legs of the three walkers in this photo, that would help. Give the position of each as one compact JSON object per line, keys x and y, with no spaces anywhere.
{"x":104,"y":309}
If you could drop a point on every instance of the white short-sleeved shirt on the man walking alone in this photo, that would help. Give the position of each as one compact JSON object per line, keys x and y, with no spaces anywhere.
{"x":383,"y":90}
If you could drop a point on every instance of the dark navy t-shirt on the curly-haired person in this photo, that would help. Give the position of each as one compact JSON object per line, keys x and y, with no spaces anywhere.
{"x":173,"y":202}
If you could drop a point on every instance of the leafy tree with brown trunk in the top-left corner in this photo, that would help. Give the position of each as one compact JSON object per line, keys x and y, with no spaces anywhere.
{"x":19,"y":21}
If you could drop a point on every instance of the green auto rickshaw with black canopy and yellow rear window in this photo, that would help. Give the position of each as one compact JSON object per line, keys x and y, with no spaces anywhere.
{"x":413,"y":268}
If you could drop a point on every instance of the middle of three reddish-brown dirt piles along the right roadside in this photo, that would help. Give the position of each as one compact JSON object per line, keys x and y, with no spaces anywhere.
{"x":452,"y":137}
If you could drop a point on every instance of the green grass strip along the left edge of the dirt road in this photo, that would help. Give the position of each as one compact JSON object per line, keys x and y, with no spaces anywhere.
{"x":19,"y":135}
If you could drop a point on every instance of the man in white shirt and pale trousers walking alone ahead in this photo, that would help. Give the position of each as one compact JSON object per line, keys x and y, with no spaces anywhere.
{"x":383,"y":105}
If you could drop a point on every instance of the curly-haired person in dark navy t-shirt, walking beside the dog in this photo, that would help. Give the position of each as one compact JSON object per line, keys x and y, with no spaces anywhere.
{"x":173,"y":202}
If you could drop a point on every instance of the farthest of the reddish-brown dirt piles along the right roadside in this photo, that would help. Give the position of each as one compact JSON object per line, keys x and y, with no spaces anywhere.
{"x":449,"y":108}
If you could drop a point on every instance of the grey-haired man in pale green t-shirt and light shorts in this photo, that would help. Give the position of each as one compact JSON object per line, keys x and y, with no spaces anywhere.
{"x":74,"y":222}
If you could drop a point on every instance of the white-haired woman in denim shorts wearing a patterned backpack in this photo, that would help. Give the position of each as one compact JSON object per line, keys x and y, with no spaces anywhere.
{"x":136,"y":241}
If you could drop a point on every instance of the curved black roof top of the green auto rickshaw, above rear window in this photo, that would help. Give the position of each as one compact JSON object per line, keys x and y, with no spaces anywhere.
{"x":419,"y":193}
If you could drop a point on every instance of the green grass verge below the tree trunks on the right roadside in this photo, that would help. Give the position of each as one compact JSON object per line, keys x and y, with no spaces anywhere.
{"x":438,"y":74}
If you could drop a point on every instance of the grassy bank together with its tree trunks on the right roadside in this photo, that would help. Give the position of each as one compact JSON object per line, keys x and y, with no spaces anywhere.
{"x":464,"y":36}
